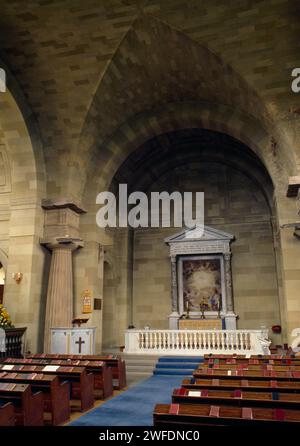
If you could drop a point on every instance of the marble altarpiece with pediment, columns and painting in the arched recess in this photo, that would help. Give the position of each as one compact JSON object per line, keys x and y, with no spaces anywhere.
{"x":201,"y":280}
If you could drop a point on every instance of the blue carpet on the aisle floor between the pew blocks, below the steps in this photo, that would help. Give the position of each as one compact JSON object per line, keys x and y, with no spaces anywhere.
{"x":134,"y":407}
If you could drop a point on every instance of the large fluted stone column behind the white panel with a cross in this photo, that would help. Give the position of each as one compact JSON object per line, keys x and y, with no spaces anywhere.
{"x":59,"y":306}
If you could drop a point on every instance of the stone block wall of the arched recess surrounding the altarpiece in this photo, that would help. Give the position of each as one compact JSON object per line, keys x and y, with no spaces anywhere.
{"x":233,"y":203}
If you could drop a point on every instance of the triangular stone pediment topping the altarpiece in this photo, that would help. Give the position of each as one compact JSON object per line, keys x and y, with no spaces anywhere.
{"x":197,"y":233}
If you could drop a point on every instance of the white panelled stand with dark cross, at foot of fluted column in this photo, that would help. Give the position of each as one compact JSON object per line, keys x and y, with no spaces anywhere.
{"x":76,"y":340}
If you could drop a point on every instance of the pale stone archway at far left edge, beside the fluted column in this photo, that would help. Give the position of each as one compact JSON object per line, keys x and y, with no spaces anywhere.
{"x":23,"y":221}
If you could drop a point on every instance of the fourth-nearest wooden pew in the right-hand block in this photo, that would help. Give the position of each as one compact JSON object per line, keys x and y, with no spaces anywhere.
{"x":249,"y":374}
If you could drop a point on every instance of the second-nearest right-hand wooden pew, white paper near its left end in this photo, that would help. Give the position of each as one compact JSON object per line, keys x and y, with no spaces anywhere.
{"x":248,"y":398}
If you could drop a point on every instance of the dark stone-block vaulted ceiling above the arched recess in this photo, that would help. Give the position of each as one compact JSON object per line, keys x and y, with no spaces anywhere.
{"x":86,"y":68}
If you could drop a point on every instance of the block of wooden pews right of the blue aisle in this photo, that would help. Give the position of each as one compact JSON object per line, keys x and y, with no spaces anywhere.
{"x":236,"y":390}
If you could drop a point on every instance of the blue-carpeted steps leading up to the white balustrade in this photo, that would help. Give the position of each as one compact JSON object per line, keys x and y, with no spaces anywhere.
{"x":179,"y":365}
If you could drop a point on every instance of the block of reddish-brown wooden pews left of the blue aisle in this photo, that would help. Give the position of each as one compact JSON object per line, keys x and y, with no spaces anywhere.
{"x":45,"y":389}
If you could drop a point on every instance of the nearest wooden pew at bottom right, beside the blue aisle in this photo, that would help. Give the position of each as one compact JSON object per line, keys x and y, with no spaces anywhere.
{"x":203,"y":414}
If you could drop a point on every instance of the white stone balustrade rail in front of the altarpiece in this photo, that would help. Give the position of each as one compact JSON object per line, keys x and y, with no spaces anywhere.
{"x":196,"y":342}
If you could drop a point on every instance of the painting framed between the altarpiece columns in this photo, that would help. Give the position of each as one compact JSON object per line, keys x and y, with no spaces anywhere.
{"x":201,"y":284}
